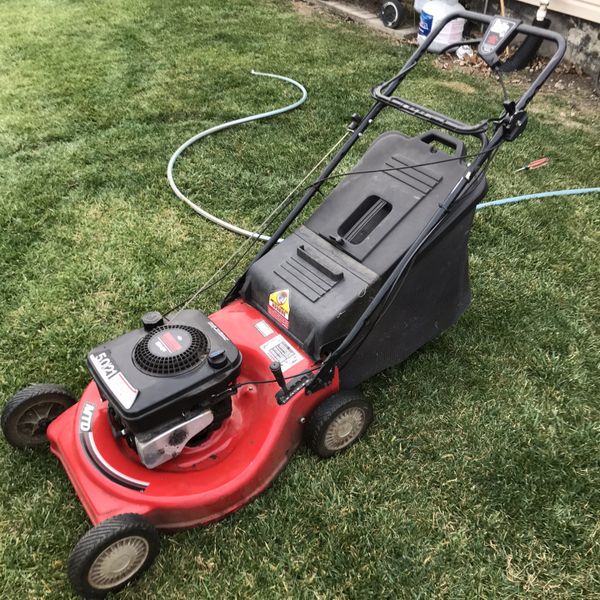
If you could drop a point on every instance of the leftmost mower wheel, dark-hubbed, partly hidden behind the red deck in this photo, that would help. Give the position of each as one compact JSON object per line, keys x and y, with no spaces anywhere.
{"x":26,"y":416}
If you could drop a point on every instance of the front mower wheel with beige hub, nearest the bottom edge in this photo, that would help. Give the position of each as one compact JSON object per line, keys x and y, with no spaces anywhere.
{"x":112,"y":554}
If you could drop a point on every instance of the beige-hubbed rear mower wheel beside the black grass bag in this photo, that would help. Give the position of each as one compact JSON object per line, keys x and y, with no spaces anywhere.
{"x":338,"y":422}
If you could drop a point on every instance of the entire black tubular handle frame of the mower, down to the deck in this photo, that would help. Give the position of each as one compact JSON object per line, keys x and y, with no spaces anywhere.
{"x":507,"y":127}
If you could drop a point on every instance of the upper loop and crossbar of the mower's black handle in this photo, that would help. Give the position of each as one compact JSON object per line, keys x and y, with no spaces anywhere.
{"x":384,"y":92}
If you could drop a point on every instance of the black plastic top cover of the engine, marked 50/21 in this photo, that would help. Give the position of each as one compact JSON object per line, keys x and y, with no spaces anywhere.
{"x":156,"y":374}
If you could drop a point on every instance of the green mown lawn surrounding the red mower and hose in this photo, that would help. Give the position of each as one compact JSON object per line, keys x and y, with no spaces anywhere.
{"x":480,"y":475}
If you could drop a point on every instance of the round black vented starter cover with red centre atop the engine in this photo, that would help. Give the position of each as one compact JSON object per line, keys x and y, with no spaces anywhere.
{"x":171,"y":350}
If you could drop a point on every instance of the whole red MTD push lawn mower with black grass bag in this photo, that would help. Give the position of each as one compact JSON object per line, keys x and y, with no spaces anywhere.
{"x":190,"y":417}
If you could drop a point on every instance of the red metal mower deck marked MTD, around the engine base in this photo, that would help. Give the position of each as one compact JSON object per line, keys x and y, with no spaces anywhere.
{"x":205,"y":483}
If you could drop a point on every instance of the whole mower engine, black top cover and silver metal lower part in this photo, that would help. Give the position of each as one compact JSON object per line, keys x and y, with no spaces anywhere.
{"x":167,"y":385}
